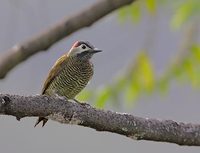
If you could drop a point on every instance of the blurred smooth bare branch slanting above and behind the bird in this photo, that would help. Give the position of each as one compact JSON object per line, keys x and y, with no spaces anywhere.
{"x":44,"y":40}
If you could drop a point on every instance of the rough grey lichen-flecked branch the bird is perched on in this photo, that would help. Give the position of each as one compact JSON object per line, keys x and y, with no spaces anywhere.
{"x":68,"y":112}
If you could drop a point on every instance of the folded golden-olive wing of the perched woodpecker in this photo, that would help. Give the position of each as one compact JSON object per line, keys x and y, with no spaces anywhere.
{"x":57,"y":67}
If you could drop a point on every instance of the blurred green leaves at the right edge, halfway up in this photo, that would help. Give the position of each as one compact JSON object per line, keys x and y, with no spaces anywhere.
{"x":186,"y":69}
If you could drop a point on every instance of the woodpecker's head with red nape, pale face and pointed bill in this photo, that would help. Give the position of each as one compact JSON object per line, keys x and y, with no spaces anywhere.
{"x":83,"y":50}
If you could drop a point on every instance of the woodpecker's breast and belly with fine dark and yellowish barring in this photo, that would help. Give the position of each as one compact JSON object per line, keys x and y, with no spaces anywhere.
{"x":73,"y":77}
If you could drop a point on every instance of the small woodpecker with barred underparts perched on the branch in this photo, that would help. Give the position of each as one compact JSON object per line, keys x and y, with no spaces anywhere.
{"x":70,"y":74}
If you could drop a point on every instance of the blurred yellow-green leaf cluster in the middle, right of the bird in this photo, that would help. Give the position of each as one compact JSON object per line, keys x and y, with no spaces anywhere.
{"x":140,"y":79}
